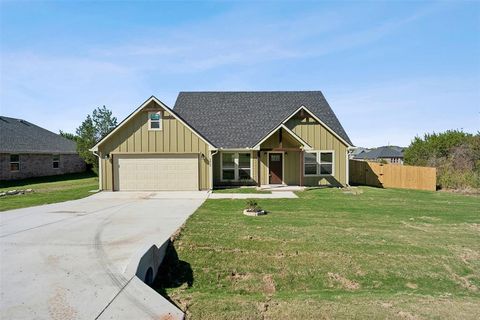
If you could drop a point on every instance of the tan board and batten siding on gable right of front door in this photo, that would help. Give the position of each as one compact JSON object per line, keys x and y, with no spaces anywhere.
{"x":320,"y":138}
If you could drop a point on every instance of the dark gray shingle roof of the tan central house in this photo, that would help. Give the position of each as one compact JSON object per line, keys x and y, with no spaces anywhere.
{"x":241,"y":119}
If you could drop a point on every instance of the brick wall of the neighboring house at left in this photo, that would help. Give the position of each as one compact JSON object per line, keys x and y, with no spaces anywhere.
{"x":37,"y":165}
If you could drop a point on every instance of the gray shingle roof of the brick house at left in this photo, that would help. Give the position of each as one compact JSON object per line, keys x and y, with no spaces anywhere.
{"x":20,"y":136}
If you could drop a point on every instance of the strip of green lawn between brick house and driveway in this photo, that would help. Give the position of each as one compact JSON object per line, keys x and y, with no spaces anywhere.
{"x":48,"y":190}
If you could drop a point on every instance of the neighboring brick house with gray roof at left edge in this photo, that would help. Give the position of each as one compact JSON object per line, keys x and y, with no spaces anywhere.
{"x":26,"y":150}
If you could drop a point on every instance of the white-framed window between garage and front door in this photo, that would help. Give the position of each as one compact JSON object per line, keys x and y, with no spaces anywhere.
{"x":236,"y":166}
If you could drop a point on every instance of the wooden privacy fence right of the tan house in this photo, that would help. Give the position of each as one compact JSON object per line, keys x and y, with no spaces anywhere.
{"x":392,"y":175}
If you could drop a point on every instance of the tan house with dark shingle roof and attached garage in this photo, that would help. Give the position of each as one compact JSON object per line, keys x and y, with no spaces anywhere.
{"x":215,"y":139}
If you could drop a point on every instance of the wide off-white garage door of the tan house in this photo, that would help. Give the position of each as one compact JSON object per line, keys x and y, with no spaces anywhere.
{"x":156,"y":172}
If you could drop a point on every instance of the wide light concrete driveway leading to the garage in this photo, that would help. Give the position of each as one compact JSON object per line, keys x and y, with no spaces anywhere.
{"x":78,"y":259}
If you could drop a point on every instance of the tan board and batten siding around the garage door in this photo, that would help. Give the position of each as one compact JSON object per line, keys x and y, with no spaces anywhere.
{"x":135,"y":138}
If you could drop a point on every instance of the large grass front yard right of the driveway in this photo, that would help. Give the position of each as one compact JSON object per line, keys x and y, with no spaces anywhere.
{"x":396,"y":254}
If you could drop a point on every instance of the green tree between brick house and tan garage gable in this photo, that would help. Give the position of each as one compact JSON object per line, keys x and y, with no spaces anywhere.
{"x":92,"y":129}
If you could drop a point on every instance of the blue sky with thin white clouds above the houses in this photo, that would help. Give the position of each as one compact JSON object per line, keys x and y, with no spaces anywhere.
{"x":390,"y":70}
